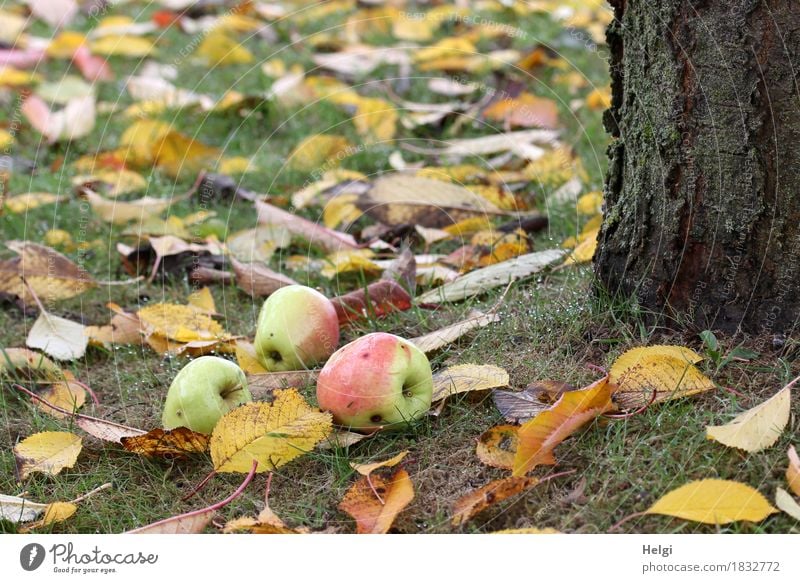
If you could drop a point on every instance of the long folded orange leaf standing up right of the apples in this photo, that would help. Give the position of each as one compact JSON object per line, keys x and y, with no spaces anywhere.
{"x":539,"y":436}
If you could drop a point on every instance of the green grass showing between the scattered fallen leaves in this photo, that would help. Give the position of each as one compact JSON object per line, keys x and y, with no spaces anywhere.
{"x":551,"y":327}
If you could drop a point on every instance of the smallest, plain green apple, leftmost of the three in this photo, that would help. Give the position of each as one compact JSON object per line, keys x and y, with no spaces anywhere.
{"x":202,"y":392}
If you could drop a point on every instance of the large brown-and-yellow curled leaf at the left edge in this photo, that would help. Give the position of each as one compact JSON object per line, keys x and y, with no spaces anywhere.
{"x":51,"y":275}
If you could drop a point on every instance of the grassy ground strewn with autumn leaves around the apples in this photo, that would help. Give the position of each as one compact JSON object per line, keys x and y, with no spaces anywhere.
{"x":168,"y":165}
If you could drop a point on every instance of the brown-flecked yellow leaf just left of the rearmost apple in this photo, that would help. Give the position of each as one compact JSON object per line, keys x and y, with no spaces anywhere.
{"x":181,"y":323}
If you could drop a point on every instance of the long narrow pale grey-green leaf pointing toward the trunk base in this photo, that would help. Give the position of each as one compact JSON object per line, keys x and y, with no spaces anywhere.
{"x":486,"y":278}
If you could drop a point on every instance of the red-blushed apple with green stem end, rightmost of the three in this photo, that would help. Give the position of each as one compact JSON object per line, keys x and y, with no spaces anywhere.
{"x":380,"y":381}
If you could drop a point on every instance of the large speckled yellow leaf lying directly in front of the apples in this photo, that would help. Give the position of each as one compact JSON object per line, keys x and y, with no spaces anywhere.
{"x":270,"y":433}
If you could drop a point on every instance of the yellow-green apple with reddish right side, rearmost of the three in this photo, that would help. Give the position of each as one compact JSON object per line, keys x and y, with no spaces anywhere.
{"x":297,"y":328}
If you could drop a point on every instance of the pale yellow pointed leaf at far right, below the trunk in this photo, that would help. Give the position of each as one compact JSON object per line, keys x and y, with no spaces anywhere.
{"x":757,"y":428}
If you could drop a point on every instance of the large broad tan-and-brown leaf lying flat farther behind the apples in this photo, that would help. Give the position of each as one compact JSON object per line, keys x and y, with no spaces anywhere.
{"x":397,"y":199}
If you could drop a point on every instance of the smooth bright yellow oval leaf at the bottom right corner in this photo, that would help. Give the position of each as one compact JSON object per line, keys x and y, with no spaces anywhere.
{"x":714,"y":501}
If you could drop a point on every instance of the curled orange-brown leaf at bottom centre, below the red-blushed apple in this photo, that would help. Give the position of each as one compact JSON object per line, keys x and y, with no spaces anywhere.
{"x":374,"y":501}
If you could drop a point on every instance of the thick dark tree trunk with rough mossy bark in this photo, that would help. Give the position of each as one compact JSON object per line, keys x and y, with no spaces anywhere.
{"x":702,"y":218}
